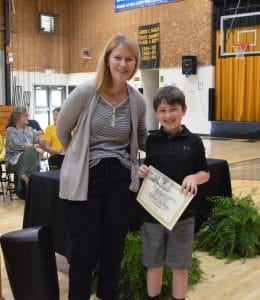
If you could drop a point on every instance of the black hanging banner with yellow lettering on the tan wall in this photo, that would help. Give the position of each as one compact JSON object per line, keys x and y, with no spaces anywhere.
{"x":149,"y":44}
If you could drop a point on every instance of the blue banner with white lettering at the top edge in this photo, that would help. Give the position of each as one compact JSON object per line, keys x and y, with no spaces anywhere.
{"x":120,"y":5}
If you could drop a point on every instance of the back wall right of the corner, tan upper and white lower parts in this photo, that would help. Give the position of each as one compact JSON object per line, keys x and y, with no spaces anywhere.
{"x":185,"y":29}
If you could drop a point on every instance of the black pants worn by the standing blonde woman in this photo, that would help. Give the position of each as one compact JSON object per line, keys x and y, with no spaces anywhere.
{"x":98,"y":228}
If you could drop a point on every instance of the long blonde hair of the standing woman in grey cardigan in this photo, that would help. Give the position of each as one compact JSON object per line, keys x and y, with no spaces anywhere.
{"x":103,"y":75}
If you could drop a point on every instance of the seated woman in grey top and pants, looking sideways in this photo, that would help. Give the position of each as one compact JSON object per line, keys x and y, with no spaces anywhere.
{"x":22,"y":149}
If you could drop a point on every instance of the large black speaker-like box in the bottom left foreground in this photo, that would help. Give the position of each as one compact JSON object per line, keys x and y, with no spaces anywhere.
{"x":30,"y":264}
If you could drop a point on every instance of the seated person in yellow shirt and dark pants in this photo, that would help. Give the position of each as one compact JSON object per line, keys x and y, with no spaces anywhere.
{"x":51,"y":143}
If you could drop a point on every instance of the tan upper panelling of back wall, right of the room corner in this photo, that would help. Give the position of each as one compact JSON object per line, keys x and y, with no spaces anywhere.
{"x":185,"y":29}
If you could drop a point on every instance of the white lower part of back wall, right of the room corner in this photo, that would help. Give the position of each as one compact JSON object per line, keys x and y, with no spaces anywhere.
{"x":195,"y":88}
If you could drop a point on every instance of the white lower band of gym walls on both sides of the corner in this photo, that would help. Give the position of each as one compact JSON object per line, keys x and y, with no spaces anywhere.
{"x":195,"y":88}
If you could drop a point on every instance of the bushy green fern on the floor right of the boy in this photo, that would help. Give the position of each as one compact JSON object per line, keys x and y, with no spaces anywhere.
{"x":233,"y":229}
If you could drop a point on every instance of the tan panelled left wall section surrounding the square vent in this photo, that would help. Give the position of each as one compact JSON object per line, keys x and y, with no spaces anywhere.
{"x":35,"y":51}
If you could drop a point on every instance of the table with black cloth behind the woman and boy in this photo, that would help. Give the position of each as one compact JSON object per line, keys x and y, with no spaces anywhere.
{"x":43,"y":206}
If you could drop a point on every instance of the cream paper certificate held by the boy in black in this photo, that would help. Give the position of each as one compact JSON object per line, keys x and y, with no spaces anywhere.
{"x":162,"y":198}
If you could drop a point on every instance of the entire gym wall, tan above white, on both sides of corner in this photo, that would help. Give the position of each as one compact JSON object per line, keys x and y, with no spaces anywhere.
{"x":185,"y":29}
